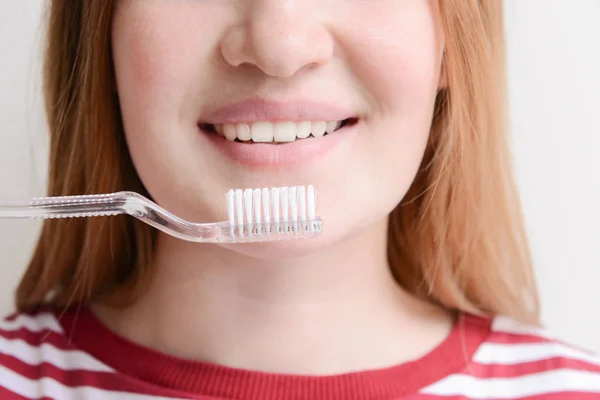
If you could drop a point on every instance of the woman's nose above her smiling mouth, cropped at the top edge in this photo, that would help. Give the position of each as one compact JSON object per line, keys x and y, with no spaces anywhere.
{"x":279,"y":37}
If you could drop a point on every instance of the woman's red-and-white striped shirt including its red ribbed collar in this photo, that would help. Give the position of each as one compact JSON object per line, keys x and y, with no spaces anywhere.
{"x":71,"y":355}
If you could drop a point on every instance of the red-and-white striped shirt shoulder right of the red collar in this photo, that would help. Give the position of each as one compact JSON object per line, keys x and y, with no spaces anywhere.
{"x":520,"y":361}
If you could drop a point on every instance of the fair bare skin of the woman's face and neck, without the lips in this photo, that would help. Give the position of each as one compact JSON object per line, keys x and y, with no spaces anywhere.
{"x":326,"y":305}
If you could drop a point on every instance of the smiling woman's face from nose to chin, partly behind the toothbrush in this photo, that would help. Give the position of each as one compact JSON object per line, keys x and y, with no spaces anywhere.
{"x":194,"y":74}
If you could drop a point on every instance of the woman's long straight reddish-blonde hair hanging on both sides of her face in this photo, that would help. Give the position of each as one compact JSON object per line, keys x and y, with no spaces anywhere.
{"x":456,"y":239}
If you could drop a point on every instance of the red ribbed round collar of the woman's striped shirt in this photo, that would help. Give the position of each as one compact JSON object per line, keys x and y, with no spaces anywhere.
{"x":89,"y":334}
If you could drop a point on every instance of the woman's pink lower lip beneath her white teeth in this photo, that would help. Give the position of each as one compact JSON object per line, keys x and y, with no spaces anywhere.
{"x":261,"y":155}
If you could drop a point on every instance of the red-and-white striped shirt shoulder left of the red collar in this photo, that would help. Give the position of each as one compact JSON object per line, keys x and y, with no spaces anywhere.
{"x":38,"y":359}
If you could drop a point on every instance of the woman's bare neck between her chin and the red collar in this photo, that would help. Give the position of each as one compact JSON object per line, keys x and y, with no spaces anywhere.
{"x":332,"y":311}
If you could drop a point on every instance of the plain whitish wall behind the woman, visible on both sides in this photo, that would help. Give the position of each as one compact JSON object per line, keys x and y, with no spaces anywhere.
{"x":554,"y":71}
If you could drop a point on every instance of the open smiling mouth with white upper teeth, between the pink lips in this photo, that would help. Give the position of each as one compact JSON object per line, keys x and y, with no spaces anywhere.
{"x":279,"y":132}
